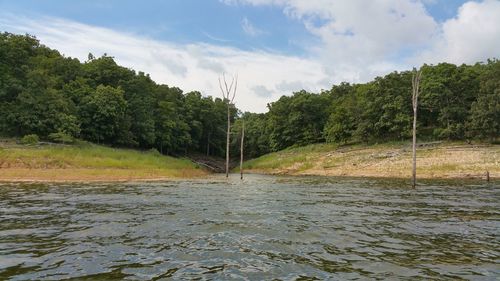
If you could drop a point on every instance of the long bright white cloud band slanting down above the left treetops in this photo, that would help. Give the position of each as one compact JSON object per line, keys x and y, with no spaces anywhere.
{"x":190,"y":67}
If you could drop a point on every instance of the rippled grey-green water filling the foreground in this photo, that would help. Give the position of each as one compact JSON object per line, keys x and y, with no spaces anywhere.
{"x":261,"y":228}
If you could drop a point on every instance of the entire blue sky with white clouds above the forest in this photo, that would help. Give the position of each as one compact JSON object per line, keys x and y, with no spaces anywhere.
{"x":276,"y":47}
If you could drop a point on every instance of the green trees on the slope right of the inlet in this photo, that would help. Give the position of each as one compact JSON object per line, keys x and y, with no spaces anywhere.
{"x":456,"y":103}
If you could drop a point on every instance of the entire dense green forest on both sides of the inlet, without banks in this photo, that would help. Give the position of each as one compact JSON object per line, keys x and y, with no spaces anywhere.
{"x":54,"y":97}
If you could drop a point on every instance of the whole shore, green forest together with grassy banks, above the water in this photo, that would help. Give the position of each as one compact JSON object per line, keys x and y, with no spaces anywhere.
{"x":47,"y":96}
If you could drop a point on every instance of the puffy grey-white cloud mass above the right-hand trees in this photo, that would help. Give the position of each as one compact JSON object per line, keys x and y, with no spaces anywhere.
{"x":360,"y":39}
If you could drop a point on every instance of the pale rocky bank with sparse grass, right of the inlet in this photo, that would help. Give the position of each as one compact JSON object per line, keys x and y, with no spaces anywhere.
{"x":439,"y":160}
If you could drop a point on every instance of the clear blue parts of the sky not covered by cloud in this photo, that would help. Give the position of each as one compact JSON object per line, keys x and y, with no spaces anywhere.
{"x":185,"y":21}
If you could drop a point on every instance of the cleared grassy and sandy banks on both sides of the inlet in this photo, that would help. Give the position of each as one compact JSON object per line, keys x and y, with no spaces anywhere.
{"x":86,"y":162}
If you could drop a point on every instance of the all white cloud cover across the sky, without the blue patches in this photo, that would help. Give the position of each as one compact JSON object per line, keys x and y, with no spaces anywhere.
{"x":356,"y":41}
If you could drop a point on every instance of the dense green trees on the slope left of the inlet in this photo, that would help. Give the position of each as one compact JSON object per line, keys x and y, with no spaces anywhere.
{"x":43,"y":92}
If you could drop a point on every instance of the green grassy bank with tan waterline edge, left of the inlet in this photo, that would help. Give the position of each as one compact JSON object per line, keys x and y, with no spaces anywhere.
{"x":88,"y":162}
